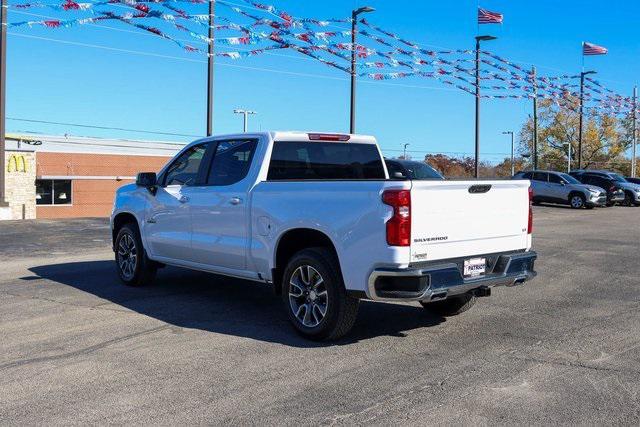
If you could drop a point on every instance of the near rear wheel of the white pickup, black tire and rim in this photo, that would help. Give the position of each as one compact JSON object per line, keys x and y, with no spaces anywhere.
{"x":307,"y":300}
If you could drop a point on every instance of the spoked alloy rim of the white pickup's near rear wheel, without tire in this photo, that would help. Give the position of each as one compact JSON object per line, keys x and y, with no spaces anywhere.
{"x":308,"y":298}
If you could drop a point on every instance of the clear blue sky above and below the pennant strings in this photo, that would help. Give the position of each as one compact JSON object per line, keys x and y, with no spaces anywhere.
{"x":166,"y":93}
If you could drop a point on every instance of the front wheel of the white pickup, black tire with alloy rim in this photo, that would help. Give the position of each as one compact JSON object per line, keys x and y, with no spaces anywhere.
{"x":133,"y":265}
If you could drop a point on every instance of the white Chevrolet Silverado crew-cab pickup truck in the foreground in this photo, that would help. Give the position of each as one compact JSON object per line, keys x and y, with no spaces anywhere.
{"x":316,"y":216}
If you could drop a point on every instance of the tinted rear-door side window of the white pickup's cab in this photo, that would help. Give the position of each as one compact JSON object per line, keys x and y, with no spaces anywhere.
{"x":231,"y":162}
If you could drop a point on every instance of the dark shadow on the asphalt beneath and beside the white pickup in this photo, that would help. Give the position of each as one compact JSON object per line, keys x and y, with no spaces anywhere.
{"x":224,"y":305}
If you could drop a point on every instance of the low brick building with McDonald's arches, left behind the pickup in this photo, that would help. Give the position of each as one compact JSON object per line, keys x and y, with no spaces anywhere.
{"x":66,"y":177}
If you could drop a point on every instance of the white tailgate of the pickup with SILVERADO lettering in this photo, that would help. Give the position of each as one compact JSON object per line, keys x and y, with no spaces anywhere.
{"x":452,"y":219}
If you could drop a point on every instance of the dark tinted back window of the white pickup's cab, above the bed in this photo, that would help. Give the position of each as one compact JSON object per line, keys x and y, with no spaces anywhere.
{"x":320,"y":161}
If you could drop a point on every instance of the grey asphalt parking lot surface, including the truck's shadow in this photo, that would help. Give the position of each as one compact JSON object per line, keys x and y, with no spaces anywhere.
{"x":78,"y":347}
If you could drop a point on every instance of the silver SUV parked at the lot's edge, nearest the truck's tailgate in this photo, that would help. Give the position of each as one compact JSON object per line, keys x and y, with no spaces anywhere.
{"x":558,"y":187}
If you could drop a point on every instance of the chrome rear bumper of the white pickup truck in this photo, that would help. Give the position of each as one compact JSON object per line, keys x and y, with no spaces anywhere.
{"x":440,"y":281}
